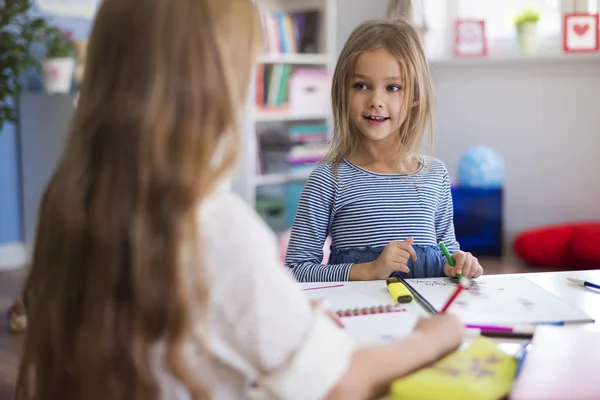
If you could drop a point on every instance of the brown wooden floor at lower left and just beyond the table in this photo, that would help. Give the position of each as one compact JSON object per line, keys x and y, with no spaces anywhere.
{"x":10,"y":286}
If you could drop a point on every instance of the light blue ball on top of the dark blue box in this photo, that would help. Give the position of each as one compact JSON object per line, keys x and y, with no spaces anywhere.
{"x":481,"y":167}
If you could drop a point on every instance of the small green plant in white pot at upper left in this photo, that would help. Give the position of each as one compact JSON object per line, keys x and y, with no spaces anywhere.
{"x":59,"y":65}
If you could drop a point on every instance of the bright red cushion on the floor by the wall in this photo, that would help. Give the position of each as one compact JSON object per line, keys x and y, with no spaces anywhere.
{"x":574,"y":245}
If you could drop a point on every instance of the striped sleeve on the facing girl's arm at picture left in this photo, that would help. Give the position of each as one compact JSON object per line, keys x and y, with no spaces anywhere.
{"x":311,"y":227}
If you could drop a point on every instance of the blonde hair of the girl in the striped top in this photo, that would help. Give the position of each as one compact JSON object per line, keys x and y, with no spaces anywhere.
{"x":402,"y":40}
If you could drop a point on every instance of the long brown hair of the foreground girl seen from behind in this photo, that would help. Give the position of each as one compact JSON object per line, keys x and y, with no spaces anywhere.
{"x":164,"y":81}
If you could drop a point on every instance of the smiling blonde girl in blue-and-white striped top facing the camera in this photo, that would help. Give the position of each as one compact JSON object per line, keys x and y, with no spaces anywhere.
{"x":385,"y":206}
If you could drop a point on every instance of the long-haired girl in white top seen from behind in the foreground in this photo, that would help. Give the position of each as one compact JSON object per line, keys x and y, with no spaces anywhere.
{"x":150,"y":279}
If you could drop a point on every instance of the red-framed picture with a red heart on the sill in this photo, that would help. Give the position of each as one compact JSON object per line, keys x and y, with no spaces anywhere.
{"x":580,"y":33}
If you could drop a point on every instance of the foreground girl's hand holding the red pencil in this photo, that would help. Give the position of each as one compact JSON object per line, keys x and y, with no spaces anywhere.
{"x":443,"y":330}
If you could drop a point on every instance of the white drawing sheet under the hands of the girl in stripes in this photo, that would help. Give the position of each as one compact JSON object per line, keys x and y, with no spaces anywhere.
{"x":497,"y":301}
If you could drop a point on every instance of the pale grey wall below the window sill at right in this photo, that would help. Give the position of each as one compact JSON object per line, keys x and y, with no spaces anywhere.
{"x":542,"y":116}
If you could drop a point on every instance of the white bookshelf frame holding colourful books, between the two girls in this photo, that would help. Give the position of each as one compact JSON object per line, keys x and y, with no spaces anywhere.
{"x":248,"y":177}
